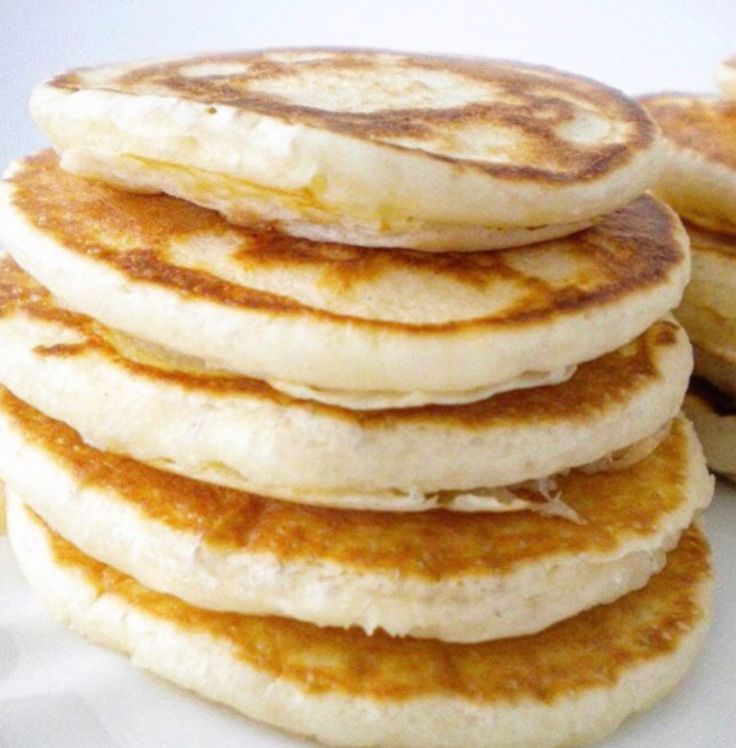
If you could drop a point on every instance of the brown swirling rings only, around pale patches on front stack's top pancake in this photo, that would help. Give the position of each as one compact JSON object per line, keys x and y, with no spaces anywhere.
{"x":539,"y":107}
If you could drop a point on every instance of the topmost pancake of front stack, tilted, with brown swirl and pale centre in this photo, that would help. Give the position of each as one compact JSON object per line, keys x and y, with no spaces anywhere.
{"x":362,"y":147}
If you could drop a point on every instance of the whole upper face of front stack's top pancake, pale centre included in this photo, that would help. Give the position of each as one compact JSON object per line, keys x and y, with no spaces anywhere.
{"x":555,"y":127}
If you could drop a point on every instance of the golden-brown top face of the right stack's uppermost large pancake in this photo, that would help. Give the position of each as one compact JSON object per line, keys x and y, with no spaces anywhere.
{"x":702,"y":124}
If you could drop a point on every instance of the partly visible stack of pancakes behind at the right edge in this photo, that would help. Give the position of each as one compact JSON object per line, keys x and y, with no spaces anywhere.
{"x":699,"y":181}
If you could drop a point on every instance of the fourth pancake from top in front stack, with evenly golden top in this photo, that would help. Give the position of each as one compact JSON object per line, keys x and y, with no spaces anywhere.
{"x":447,"y":576}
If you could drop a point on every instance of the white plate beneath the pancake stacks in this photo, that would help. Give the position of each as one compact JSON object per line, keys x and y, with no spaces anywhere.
{"x":58,"y":691}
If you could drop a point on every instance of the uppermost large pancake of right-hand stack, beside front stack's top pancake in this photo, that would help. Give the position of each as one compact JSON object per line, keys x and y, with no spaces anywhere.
{"x":699,"y":177}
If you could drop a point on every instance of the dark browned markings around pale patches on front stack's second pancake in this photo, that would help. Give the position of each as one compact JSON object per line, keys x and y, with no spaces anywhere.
{"x":629,"y":251}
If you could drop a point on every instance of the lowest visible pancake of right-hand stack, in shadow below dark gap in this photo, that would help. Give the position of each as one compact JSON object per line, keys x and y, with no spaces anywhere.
{"x":714,"y":414}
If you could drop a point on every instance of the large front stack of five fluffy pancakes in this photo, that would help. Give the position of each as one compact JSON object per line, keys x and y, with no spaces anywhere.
{"x":280,"y":425}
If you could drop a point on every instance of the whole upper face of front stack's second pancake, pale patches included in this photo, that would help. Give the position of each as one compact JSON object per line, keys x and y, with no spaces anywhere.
{"x":155,"y":239}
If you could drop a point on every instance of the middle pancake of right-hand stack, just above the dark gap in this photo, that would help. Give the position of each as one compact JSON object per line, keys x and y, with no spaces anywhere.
{"x":708,"y":308}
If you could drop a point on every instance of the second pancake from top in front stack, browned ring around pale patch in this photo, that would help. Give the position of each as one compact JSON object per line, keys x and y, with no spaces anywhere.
{"x":333,"y":316}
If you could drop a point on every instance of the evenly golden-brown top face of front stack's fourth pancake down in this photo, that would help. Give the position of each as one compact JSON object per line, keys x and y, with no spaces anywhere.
{"x":437,"y":545}
